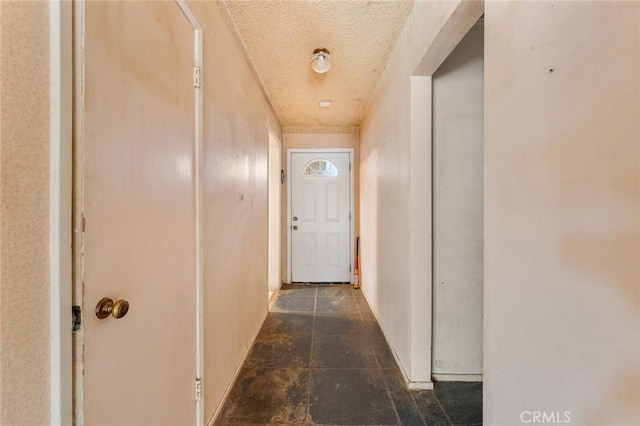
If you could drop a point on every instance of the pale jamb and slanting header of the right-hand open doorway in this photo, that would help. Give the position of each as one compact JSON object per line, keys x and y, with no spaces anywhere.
{"x":421,"y":204}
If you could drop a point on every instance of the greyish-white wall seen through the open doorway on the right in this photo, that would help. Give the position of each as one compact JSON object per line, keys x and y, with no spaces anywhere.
{"x":457,"y":211}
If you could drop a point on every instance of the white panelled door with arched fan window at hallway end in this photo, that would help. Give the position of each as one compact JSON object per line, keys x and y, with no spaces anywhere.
{"x":320,"y":216}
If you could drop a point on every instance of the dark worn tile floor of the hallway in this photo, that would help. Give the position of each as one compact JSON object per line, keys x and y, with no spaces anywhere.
{"x":321,"y":358}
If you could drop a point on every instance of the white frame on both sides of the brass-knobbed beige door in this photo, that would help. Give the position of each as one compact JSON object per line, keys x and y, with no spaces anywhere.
{"x":65,"y":401}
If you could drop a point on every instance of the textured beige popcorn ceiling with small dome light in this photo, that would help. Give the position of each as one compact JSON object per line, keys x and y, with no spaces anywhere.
{"x":280,"y":37}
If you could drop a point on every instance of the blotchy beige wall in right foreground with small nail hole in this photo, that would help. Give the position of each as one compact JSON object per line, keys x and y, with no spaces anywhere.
{"x":562,"y":211}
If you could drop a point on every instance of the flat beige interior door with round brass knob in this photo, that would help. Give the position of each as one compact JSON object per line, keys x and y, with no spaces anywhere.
{"x":139,"y":207}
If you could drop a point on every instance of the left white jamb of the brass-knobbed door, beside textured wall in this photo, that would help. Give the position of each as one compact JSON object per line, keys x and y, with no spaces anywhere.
{"x":60,"y":211}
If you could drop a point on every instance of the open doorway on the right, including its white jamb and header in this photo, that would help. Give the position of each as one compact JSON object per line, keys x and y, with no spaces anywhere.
{"x":434,"y":118}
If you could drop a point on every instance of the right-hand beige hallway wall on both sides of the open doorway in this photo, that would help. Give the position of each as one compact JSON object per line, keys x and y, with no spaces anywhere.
{"x":562,"y":211}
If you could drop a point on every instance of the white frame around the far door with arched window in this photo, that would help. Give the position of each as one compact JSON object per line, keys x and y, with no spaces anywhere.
{"x":350,"y":151}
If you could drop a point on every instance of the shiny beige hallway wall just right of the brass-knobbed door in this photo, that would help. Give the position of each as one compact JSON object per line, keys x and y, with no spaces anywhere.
{"x":237,"y":117}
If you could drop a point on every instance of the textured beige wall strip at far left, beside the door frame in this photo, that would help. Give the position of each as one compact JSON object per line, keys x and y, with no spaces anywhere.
{"x":24,"y":213}
